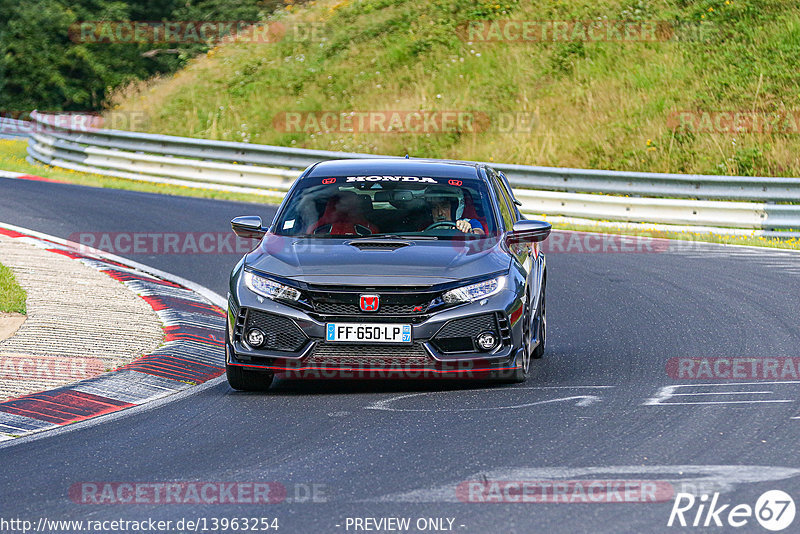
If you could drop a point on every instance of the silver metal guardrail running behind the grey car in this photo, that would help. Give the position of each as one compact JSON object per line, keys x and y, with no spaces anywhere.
{"x":718,"y":203}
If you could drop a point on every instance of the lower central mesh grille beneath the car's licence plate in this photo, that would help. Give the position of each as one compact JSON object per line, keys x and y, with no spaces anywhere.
{"x":365,"y":356}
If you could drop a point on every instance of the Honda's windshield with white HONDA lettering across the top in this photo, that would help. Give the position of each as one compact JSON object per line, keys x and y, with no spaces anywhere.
{"x":401,"y":206}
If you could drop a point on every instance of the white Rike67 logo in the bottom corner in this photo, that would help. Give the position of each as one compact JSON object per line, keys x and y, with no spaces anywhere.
{"x":774,"y":510}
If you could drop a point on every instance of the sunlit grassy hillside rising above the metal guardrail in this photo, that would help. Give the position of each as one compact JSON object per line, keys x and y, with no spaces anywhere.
{"x":602,"y":104}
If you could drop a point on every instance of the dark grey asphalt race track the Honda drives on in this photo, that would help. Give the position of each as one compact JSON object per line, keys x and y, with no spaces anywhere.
{"x":594,"y":408}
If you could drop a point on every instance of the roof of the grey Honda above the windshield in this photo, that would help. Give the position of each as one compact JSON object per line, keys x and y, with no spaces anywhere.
{"x":396,"y":167}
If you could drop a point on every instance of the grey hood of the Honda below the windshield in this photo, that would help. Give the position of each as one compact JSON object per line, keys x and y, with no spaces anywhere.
{"x":333,"y":261}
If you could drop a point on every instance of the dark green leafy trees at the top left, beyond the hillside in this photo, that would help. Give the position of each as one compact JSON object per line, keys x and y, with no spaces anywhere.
{"x":42,"y":67}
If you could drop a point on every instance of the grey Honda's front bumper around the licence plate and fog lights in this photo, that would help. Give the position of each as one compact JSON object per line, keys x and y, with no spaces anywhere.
{"x":305,"y":353}
